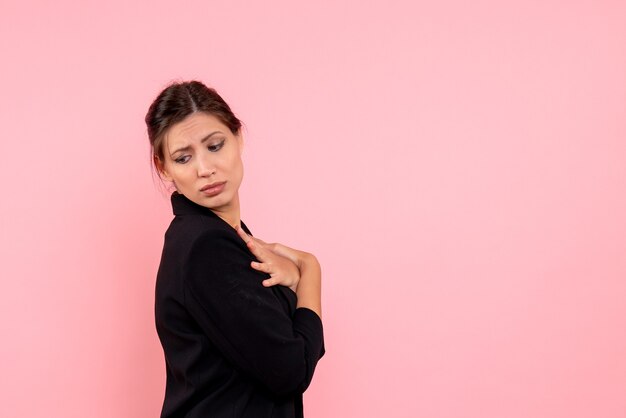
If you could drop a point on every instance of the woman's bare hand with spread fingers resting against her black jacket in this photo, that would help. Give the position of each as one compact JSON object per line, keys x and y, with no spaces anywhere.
{"x":275,"y":260}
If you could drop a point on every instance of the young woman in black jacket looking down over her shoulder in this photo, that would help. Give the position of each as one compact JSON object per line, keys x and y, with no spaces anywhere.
{"x":239,"y":319}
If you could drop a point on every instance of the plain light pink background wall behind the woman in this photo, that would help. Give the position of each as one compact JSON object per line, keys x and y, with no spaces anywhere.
{"x":459,"y":169}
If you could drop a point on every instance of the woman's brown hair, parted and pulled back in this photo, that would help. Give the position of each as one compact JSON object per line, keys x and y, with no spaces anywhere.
{"x":175,"y":103}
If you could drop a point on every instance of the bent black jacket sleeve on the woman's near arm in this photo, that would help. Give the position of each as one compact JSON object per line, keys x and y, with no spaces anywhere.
{"x":245,"y":320}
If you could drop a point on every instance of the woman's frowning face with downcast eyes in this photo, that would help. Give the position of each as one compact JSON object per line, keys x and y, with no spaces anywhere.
{"x":202,"y":157}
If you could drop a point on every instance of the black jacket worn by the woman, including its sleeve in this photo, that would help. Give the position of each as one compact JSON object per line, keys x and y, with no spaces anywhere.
{"x":233,"y":348}
